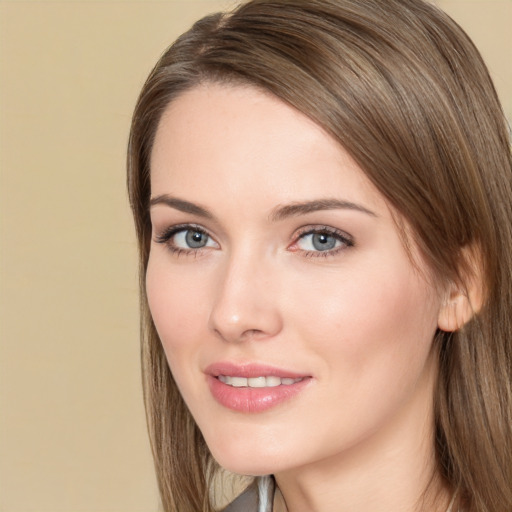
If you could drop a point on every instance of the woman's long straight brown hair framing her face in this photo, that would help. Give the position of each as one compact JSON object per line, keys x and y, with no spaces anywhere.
{"x":404,"y":90}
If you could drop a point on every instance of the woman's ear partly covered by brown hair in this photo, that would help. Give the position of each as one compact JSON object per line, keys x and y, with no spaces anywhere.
{"x":463,"y":300}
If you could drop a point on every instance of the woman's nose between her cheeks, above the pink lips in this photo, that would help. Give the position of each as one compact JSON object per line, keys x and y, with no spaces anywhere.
{"x":246,"y":301}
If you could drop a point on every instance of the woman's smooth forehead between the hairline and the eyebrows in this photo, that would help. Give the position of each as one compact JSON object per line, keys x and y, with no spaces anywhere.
{"x":247,"y":141}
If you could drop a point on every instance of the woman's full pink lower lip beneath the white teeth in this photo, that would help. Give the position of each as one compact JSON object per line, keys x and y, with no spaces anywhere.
{"x":253,"y":400}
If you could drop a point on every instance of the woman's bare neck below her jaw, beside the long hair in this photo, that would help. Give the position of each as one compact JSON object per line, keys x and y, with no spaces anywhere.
{"x":392,"y":470}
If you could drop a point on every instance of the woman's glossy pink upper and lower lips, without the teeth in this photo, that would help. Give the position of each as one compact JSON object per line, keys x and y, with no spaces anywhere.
{"x":252,"y":399}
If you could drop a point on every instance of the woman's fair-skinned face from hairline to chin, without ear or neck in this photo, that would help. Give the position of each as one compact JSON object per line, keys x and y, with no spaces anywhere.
{"x":294,"y":322}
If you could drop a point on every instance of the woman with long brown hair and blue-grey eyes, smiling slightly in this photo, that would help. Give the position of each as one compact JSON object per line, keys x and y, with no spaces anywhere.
{"x":322,"y":195}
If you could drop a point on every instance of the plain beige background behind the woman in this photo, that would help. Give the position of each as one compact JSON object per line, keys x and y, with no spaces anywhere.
{"x":72,"y":432}
